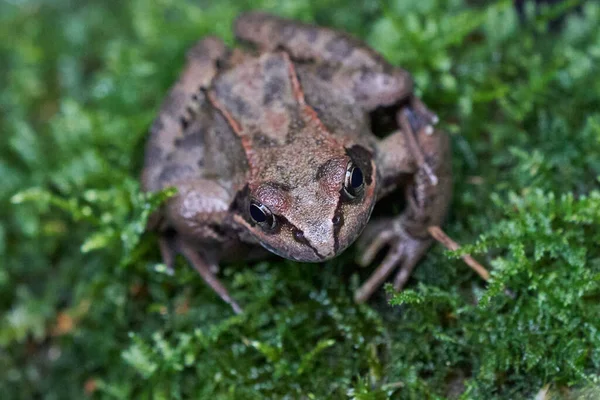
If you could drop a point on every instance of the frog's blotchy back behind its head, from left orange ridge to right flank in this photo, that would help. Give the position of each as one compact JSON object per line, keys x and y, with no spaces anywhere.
{"x":265,"y":95}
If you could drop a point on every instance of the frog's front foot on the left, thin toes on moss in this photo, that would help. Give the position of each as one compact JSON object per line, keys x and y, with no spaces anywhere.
{"x":170,"y":246}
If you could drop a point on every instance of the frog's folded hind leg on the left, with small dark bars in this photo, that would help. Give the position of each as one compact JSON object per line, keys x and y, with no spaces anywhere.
{"x":175,"y":148}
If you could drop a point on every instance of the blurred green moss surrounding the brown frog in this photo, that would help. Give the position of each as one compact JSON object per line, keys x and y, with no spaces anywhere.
{"x":86,"y":309}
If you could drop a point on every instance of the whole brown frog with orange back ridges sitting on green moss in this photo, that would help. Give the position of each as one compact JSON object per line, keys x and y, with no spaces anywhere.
{"x":284,"y":144}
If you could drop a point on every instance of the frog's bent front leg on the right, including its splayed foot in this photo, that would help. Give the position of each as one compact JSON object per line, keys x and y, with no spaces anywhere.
{"x":426,"y":205}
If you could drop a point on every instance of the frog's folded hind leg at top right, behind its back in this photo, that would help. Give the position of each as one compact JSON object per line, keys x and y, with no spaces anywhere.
{"x":373,"y":82}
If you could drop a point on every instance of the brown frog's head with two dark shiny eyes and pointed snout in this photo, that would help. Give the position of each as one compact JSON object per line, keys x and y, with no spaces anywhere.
{"x":310,"y":209}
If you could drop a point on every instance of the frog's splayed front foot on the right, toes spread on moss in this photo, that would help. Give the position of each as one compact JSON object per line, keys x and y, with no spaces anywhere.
{"x":403,"y":254}
